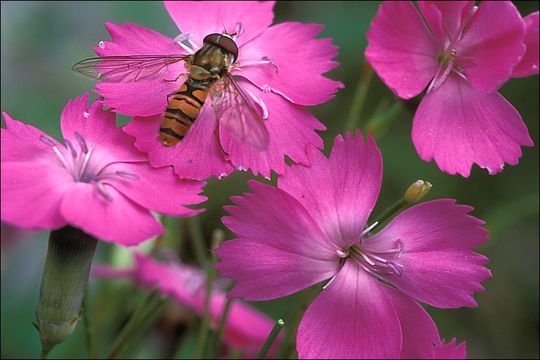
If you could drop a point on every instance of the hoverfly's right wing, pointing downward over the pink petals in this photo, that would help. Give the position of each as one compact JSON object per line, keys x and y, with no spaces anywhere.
{"x":239,"y":113}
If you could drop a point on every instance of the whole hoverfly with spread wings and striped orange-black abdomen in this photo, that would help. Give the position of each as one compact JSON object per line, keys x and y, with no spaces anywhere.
{"x":237,"y":111}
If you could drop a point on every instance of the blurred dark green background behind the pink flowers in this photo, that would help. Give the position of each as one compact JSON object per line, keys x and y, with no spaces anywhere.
{"x":40,"y":41}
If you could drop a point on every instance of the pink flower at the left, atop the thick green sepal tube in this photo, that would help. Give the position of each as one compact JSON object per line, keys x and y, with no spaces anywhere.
{"x":95,"y":181}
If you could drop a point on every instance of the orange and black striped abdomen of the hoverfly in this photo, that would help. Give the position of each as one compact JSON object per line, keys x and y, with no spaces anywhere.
{"x":184,"y":107}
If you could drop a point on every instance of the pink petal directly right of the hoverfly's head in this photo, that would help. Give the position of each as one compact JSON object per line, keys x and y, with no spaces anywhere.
{"x":296,"y":45}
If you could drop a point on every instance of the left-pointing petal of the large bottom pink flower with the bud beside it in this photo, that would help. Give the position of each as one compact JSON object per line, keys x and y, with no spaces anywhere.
{"x":278,"y":252}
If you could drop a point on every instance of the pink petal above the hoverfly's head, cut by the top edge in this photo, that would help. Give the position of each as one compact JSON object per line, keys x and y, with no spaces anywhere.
{"x":207,"y":17}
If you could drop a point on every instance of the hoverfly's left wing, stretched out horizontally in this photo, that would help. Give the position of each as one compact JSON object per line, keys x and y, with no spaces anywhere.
{"x":126,"y":68}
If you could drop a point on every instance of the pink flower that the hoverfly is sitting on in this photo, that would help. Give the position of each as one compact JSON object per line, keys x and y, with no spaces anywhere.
{"x":280,"y":65}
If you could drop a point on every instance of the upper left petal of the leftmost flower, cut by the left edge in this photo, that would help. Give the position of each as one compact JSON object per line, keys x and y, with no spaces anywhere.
{"x":20,"y":142}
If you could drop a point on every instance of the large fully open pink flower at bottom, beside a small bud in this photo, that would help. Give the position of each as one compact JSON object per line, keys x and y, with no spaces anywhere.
{"x":312,"y":228}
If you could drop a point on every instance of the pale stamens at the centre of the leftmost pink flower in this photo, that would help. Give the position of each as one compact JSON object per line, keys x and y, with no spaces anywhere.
{"x":78,"y":162}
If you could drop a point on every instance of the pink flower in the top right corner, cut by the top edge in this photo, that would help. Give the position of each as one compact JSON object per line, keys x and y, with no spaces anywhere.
{"x":463,"y":56}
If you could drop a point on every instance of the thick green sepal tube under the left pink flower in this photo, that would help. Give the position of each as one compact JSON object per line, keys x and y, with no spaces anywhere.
{"x":67,"y":267}
